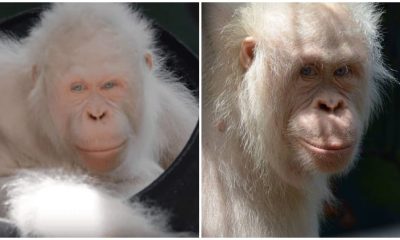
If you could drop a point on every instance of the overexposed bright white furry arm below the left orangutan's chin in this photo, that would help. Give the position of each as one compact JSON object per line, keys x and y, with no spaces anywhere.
{"x":54,"y":204}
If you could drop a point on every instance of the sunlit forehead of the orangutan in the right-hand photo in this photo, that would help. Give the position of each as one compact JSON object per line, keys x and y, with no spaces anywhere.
{"x":313,"y":30}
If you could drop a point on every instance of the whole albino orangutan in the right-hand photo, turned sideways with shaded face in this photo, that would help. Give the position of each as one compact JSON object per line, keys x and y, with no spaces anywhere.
{"x":288,"y":90}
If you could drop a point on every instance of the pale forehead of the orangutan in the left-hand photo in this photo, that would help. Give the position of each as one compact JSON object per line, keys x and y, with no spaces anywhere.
{"x":92,"y":55}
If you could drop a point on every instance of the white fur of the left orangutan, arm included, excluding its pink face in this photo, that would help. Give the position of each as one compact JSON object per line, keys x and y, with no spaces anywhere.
{"x":35,"y":157}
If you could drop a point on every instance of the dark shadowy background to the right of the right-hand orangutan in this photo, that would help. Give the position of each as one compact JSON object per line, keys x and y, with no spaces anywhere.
{"x":370,"y":195}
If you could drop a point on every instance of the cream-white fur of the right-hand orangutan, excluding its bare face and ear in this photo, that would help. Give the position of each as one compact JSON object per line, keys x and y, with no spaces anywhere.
{"x":254,"y":183}
